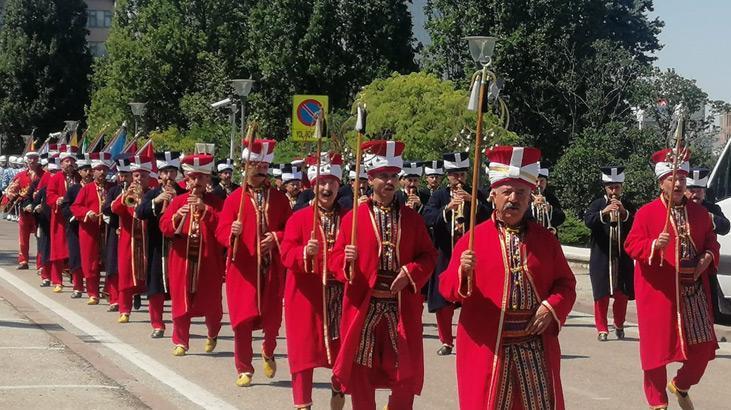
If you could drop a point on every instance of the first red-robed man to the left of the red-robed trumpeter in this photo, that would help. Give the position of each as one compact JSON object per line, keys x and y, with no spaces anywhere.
{"x":87,"y":209}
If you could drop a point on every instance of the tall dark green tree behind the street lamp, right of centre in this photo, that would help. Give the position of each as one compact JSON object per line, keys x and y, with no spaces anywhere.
{"x":545,"y":48}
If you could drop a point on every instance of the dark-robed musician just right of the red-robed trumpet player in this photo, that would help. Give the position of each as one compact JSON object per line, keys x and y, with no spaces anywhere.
{"x":150,"y":209}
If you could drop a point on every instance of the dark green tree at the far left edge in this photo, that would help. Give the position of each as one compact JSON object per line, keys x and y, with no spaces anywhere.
{"x":44,"y":66}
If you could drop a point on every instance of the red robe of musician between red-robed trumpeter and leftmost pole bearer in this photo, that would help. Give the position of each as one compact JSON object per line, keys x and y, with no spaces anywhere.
{"x":207,"y":298}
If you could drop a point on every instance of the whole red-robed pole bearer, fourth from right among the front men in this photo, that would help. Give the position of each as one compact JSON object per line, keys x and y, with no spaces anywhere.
{"x":313,"y":297}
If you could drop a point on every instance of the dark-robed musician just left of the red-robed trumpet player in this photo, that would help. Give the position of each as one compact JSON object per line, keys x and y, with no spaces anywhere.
{"x":111,"y":263}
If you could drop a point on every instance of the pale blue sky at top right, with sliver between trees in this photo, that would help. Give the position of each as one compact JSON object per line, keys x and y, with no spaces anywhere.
{"x":696,"y":39}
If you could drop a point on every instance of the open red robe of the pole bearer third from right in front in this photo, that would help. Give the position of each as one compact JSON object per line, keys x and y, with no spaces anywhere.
{"x":415,"y":252}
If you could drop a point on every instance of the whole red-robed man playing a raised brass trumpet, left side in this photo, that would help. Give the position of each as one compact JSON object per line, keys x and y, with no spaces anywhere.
{"x":131,"y":262}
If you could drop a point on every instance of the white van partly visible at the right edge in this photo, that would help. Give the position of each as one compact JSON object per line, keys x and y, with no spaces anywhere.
{"x":719,"y":184}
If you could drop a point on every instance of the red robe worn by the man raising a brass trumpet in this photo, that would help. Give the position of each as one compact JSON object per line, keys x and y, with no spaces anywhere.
{"x":127,"y":281}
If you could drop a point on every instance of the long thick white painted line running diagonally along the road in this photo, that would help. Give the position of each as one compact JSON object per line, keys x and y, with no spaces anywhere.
{"x":165,"y":375}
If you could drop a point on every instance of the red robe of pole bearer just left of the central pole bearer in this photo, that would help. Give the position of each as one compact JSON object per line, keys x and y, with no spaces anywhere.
{"x":304,"y":297}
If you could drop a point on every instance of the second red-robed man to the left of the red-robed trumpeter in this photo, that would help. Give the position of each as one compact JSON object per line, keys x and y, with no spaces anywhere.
{"x":57,"y":186}
